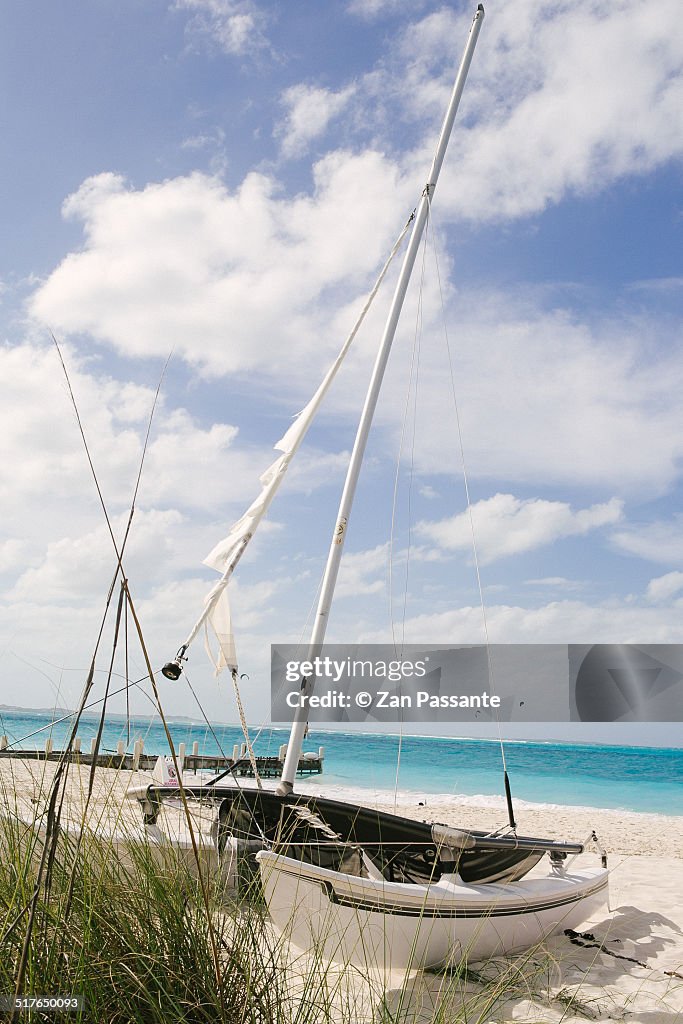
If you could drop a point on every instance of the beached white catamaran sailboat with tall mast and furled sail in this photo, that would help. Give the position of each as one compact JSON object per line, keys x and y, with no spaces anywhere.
{"x":359,"y":884}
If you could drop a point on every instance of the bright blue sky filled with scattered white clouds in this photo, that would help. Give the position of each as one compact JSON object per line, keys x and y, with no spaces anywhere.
{"x":219,"y":183}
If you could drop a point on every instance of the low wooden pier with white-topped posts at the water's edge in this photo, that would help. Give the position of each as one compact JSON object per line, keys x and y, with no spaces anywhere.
{"x":269,"y":767}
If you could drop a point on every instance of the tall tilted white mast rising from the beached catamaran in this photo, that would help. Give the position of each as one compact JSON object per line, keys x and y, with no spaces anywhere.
{"x":336,"y":548}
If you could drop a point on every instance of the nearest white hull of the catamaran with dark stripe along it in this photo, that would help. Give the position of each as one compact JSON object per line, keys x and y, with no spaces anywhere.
{"x":375,"y":923}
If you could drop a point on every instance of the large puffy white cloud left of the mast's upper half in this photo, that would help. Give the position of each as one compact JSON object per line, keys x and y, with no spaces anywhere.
{"x":231,"y":281}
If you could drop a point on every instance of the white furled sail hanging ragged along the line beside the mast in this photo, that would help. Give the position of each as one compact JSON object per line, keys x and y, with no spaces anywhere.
{"x":216,"y":617}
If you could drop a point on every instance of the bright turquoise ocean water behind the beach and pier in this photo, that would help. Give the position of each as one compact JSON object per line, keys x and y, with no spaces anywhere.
{"x":633,"y":779}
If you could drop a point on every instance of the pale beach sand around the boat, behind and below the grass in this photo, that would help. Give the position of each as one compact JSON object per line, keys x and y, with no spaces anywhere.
{"x":628,"y":966}
